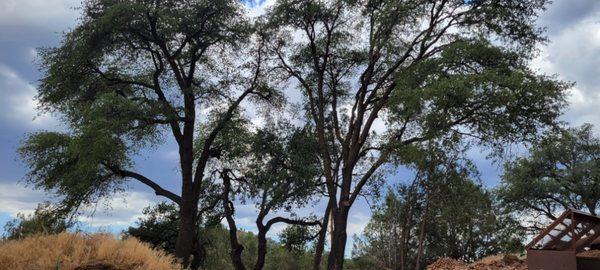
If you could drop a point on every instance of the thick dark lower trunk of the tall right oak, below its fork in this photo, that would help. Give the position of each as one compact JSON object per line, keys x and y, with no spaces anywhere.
{"x":339,"y":237}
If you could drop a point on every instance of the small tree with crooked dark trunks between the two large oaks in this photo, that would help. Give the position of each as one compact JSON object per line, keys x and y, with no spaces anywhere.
{"x":280,"y":172}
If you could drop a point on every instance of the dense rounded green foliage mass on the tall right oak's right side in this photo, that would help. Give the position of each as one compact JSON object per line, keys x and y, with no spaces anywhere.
{"x":488,"y":91}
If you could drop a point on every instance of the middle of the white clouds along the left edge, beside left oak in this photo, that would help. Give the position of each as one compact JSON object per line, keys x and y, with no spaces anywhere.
{"x":20,"y":104}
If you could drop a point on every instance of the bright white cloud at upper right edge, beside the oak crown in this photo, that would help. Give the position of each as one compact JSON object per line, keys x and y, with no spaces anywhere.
{"x":573,"y":55}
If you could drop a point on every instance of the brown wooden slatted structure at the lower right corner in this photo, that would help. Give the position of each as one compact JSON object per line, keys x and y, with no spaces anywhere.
{"x":557,"y":247}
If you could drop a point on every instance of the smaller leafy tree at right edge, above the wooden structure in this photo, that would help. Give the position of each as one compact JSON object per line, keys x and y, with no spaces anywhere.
{"x":561,"y":171}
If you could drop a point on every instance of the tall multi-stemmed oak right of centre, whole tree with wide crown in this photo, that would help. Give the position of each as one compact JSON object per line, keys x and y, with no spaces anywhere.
{"x":378,"y":76}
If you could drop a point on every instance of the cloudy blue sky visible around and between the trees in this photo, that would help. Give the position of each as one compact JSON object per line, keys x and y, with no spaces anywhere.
{"x":573,"y":54}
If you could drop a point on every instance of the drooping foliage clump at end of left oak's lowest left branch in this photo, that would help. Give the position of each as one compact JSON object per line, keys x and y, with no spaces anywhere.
{"x":74,"y":166}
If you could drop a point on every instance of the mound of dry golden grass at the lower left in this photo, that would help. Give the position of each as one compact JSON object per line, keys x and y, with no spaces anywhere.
{"x":67,"y":251}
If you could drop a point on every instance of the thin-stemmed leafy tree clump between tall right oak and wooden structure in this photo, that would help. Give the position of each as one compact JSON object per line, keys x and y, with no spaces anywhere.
{"x":443,"y":212}
